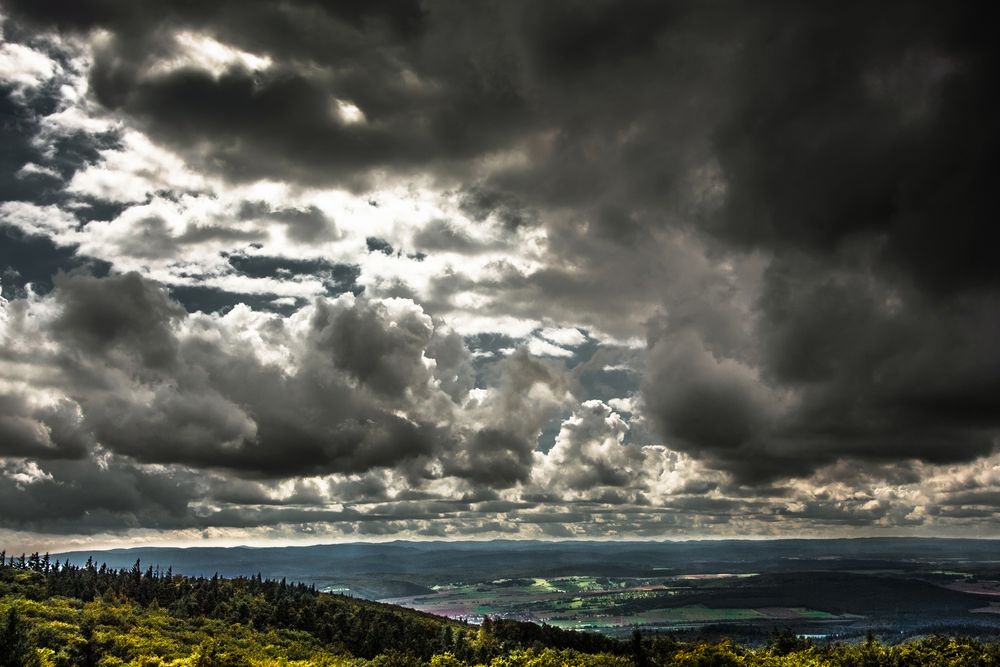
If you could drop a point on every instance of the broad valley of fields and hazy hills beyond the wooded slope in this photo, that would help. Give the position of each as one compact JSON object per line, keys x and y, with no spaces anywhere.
{"x":839,"y":589}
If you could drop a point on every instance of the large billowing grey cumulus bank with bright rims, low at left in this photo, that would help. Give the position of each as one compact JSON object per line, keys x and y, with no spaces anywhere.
{"x":341,"y":387}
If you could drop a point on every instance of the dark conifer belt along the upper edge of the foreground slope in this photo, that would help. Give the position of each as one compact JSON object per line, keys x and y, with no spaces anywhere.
{"x":350,"y":625}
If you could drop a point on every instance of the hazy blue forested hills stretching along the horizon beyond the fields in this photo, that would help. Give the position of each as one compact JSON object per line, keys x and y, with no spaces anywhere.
{"x":511,"y":558}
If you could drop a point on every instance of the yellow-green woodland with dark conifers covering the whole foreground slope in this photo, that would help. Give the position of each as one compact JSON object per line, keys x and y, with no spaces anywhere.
{"x":62,"y":614}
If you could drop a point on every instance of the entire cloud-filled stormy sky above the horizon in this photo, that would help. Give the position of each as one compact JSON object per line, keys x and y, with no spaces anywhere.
{"x":294,"y":271}
